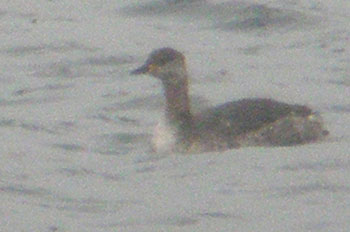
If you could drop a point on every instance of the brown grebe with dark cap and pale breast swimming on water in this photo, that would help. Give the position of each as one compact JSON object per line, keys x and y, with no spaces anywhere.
{"x":246,"y":122}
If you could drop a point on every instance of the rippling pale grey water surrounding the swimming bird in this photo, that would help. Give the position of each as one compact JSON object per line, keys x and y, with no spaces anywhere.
{"x":75,"y":126}
